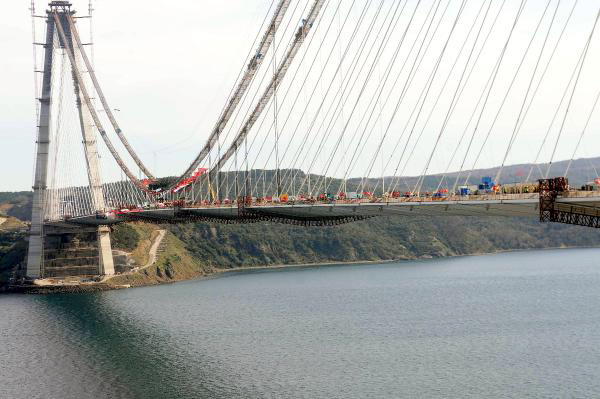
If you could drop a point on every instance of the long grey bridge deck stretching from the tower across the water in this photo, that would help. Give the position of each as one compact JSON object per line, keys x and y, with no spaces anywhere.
{"x":509,"y":205}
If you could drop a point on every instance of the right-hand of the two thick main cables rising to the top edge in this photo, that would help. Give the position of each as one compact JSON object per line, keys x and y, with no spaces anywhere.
{"x":277,"y":78}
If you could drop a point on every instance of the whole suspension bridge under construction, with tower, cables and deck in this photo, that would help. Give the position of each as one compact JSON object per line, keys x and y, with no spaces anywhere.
{"x":331,"y":90}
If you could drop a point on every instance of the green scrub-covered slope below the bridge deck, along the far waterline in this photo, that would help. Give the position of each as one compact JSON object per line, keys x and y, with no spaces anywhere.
{"x":383,"y":238}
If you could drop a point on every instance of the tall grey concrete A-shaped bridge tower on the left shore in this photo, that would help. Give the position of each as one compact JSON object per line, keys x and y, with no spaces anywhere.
{"x":59,"y":33}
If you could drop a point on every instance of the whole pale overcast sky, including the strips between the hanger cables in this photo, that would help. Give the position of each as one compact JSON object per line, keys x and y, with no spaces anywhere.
{"x":168,"y":71}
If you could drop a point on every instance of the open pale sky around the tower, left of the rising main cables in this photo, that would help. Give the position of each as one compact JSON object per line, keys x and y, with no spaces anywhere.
{"x":167,"y":68}
